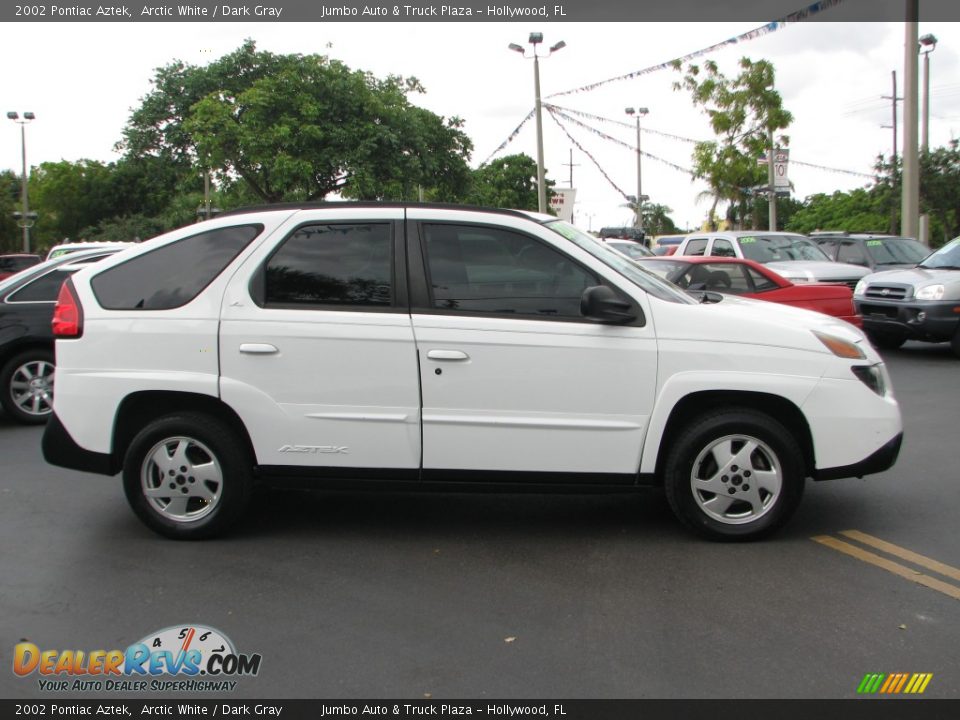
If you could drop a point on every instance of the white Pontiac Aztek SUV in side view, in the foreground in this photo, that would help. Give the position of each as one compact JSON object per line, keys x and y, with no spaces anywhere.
{"x":425,"y":346}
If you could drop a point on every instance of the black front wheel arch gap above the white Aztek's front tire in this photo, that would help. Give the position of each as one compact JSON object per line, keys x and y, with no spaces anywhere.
{"x":695,"y":404}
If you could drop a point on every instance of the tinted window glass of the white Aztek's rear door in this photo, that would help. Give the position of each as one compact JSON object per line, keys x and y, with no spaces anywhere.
{"x":336,"y":264}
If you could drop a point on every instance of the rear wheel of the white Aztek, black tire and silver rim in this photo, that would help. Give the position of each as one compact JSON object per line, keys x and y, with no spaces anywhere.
{"x":204,"y":466}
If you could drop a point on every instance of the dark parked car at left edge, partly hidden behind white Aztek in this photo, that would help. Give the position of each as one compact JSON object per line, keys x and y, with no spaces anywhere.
{"x":26,"y":342}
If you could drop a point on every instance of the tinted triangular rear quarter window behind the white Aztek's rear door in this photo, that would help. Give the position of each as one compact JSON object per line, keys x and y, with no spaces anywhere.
{"x":173,"y":275}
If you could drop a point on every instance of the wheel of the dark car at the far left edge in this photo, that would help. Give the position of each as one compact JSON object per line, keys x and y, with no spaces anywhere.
{"x":32,"y":372}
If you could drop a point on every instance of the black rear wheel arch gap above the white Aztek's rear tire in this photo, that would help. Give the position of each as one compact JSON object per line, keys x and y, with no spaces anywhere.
{"x":139,"y":408}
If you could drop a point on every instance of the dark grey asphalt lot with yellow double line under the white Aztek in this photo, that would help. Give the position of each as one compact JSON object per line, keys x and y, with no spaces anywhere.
{"x":351,"y":595}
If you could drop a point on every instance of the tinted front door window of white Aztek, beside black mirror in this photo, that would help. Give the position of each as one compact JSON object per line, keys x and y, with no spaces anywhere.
{"x":488,"y":270}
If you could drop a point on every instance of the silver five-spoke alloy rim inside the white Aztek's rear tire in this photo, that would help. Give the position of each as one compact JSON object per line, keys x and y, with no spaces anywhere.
{"x":181,"y":479}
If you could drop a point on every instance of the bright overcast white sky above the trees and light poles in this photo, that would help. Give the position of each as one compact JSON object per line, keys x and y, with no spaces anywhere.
{"x":83,"y":79}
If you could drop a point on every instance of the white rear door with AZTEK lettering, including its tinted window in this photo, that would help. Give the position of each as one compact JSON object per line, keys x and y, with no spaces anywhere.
{"x":317,"y":351}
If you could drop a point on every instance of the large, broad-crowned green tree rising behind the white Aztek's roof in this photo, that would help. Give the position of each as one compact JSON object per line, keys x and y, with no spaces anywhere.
{"x":295,"y":127}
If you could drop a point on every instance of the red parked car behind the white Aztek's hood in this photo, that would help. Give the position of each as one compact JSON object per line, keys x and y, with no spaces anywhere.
{"x":746,"y":278}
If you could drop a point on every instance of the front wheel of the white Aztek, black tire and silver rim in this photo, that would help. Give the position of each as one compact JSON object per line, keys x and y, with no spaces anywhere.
{"x":754,"y":510}
